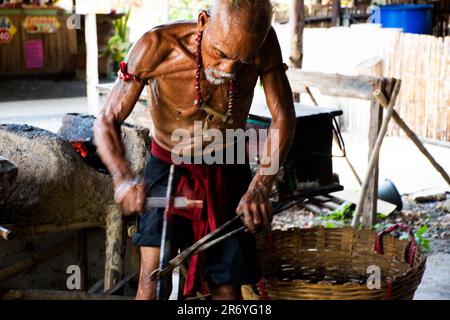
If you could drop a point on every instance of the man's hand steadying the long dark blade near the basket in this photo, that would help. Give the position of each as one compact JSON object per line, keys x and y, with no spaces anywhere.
{"x":256,"y":208}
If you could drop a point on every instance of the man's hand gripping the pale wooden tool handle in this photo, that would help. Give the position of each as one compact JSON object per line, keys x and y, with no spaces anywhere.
{"x":130,"y":196}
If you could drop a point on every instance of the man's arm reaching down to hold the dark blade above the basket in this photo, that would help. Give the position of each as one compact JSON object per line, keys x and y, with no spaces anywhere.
{"x":255,"y":204}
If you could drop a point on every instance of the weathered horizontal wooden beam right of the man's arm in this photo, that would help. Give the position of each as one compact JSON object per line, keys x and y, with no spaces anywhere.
{"x":360,"y":87}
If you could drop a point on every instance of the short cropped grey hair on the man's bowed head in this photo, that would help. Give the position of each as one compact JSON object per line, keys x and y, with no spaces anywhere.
{"x":261,"y":12}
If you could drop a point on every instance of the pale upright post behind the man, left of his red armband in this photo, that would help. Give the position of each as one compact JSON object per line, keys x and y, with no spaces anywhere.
{"x":91,"y":62}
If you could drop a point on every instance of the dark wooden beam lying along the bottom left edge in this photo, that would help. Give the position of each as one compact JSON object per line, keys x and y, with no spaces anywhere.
{"x":54,"y":295}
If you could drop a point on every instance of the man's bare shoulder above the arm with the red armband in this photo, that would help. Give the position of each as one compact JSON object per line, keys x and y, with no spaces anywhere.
{"x":151,"y":49}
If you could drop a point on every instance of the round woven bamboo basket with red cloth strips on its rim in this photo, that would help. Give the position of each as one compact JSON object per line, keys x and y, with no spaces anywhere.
{"x":338,"y":264}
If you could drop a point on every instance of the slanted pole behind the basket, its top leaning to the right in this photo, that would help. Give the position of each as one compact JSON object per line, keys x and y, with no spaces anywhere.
{"x":375,"y":153}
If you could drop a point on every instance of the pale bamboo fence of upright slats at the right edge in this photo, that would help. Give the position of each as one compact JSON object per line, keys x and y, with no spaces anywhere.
{"x":423,"y":64}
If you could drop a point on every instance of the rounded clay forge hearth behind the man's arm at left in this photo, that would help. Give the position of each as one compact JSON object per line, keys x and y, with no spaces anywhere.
{"x":54,"y":183}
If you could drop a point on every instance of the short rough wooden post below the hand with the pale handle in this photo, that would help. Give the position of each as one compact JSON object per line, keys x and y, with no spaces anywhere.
{"x":115,"y":247}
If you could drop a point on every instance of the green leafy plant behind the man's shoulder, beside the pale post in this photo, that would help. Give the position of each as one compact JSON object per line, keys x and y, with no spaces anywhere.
{"x":119,"y":44}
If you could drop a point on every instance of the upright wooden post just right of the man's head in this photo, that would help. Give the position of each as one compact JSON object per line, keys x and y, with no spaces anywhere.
{"x":297,"y":18}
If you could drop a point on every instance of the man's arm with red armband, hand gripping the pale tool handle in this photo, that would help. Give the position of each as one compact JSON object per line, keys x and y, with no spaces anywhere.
{"x":142,"y":59}
